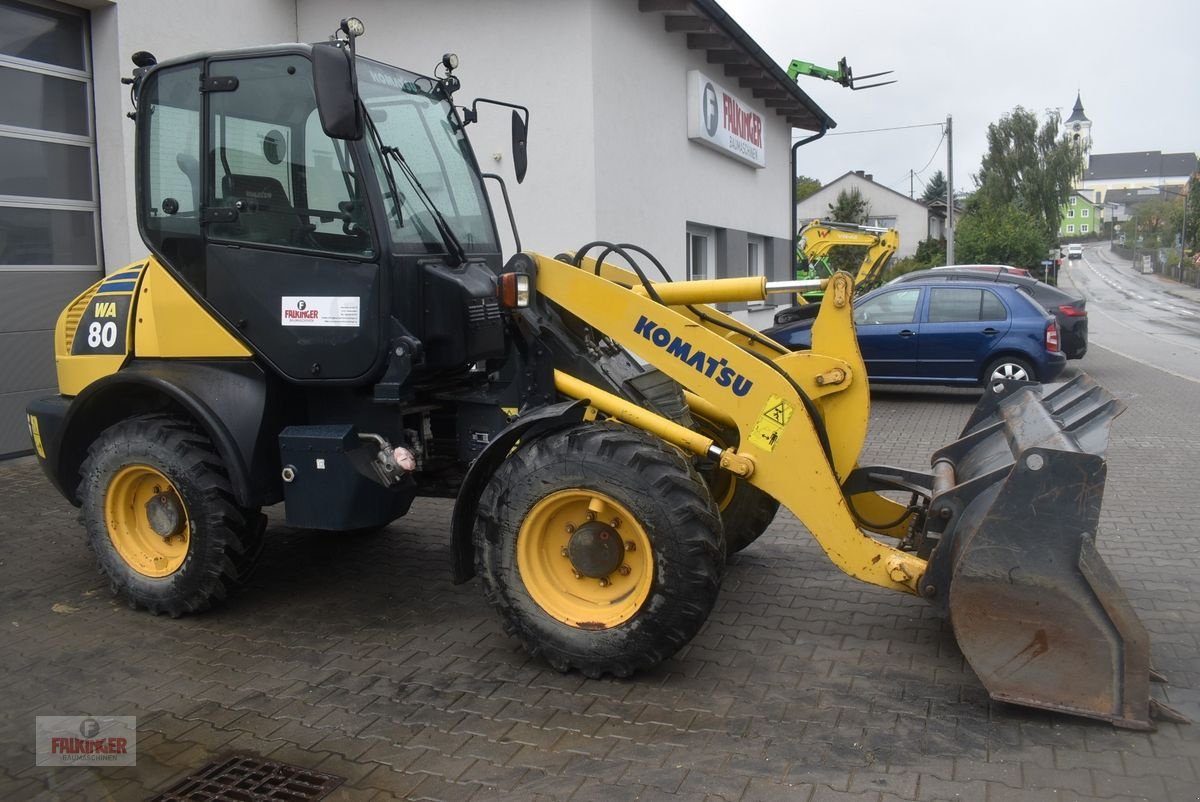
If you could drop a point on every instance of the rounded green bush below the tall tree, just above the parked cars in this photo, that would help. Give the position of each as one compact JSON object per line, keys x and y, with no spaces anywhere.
{"x":1000,"y":234}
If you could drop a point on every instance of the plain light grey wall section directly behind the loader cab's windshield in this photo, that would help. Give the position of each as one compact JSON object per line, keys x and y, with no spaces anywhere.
{"x":536,"y":53}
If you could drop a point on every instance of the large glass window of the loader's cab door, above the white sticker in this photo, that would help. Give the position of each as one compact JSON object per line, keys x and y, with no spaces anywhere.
{"x":277,"y":178}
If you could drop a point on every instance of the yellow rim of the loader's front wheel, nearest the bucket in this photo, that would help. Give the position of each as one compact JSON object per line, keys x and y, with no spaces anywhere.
{"x":569,"y":537}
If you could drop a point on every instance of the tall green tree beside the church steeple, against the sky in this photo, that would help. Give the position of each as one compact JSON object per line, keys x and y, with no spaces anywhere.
{"x":1031,"y":167}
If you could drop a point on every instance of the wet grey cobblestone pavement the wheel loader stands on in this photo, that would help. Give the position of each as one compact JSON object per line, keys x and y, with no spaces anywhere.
{"x":356,"y":656}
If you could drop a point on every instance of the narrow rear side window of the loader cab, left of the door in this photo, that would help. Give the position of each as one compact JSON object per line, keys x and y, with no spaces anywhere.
{"x":171,"y":167}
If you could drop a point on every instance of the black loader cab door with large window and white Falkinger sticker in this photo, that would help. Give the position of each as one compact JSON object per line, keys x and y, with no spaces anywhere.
{"x":291,"y":261}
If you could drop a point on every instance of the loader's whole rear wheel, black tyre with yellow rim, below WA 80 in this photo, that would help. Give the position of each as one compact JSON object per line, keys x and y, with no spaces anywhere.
{"x":164,"y":464}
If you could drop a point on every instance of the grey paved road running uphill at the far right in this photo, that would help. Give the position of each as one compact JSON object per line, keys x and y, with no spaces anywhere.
{"x":1145,"y":318}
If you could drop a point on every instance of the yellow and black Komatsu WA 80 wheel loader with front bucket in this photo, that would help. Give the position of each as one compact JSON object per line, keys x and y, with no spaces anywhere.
{"x":326,"y":320}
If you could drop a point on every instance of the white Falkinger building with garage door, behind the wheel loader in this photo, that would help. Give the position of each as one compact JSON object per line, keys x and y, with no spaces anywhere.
{"x":627,"y":98}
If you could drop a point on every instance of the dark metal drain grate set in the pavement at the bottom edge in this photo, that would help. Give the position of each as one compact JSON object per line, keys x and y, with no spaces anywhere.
{"x":251,"y":780}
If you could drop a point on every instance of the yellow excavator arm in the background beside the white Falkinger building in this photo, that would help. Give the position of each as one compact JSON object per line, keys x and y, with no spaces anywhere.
{"x":815,"y":246}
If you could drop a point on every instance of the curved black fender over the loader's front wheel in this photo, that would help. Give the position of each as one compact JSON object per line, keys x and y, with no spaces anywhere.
{"x":463,"y":524}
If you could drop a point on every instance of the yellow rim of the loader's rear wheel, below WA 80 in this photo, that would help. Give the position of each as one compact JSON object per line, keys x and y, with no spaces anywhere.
{"x":136,"y":541}
